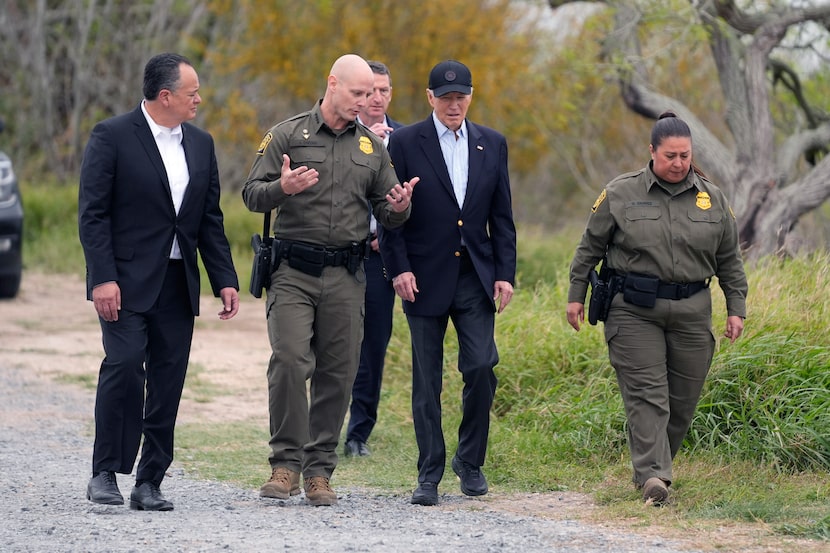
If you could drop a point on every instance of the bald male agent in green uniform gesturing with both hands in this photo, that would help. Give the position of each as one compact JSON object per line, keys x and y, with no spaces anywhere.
{"x":321,"y":171}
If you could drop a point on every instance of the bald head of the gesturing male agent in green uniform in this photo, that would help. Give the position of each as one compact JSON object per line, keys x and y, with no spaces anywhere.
{"x":348,"y":89}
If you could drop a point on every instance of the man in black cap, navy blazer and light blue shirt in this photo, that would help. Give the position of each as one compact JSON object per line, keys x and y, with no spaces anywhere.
{"x":453,"y":259}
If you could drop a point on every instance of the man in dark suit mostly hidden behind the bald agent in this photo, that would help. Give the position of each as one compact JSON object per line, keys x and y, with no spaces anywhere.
{"x":380,"y":296}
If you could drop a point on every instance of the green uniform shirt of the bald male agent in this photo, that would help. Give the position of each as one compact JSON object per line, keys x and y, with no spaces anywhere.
{"x":355,"y":171}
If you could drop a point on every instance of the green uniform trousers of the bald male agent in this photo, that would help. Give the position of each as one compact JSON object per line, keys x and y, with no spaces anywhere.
{"x":315,"y":325}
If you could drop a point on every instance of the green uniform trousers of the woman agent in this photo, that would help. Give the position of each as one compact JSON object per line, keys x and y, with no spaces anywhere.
{"x":661,"y":356}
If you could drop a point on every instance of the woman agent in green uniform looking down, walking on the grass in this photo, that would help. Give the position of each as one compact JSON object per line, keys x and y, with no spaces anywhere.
{"x":665,"y":231}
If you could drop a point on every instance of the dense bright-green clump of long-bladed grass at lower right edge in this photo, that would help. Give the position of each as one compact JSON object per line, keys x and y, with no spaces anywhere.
{"x":768,"y":401}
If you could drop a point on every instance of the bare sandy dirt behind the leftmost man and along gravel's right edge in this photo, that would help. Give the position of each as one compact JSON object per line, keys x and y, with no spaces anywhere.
{"x":52,"y":331}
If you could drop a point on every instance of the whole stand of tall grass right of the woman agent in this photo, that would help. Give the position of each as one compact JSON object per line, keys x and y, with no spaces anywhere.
{"x":768,"y":394}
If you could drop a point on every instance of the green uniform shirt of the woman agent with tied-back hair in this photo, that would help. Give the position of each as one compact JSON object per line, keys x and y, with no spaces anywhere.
{"x":684,"y":232}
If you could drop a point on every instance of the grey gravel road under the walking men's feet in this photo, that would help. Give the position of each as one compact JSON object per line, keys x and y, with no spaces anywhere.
{"x":45,"y":449}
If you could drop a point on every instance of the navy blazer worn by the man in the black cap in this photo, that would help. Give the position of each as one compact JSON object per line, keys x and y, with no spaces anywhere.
{"x":429,"y":242}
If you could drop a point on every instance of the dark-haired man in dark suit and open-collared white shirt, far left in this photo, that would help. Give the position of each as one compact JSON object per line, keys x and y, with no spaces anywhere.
{"x":149,"y":196}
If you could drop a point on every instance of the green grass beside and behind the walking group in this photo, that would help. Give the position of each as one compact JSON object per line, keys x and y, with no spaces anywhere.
{"x":758,"y":449}
